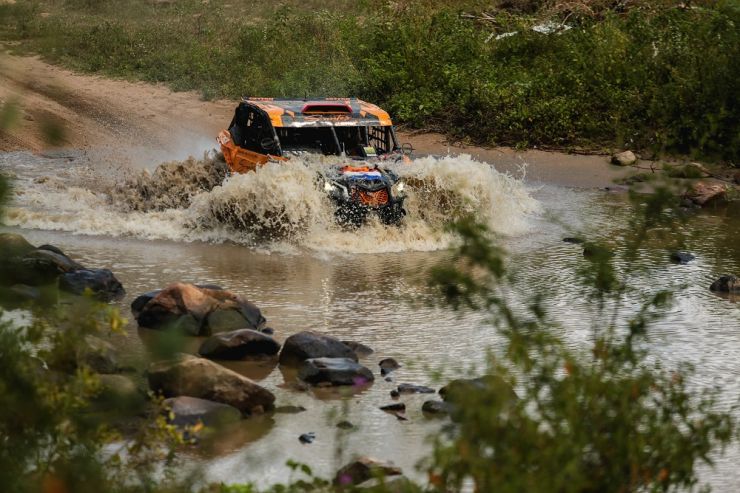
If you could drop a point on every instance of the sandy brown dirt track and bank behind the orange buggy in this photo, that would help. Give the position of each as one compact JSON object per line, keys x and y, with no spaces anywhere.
{"x":145,"y":124}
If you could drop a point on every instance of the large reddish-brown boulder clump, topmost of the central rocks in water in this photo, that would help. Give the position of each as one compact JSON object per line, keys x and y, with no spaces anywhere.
{"x":196,"y":310}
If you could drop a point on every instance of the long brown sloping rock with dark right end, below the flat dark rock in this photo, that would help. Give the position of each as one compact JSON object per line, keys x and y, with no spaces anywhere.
{"x":202,"y":378}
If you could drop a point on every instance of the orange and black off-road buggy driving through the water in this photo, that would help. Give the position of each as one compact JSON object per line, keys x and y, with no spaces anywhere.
{"x":360,"y":133}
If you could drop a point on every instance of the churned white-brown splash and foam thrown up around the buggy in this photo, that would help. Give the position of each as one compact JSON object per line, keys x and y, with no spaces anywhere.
{"x":279,"y":207}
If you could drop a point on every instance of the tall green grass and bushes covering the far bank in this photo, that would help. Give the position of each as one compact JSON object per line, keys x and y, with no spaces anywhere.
{"x":647,"y":75}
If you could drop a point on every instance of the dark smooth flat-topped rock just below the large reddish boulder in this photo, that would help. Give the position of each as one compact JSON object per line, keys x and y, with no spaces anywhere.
{"x":239,"y":344}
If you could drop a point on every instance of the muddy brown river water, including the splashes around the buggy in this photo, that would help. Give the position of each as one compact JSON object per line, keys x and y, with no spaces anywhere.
{"x":370,"y":286}
